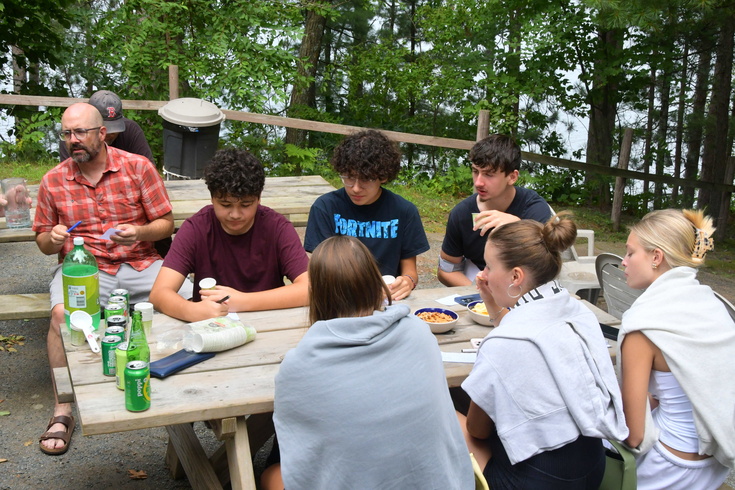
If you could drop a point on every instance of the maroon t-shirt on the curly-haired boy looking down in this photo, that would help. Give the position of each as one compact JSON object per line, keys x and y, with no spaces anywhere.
{"x":255,"y":261}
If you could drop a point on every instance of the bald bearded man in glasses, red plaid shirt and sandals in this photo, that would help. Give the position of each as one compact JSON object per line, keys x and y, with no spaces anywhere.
{"x":101,"y":187}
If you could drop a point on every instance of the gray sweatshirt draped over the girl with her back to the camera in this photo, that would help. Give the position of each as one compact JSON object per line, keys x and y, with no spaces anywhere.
{"x":363,"y":403}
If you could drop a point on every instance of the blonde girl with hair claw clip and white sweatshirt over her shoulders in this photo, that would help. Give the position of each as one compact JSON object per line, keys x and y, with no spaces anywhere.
{"x":677,"y":345}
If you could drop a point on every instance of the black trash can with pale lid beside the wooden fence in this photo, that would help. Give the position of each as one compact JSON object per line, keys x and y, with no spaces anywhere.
{"x":190,"y":136}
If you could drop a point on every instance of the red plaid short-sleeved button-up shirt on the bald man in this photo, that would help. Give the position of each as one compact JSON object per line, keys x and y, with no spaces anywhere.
{"x":130,"y":191}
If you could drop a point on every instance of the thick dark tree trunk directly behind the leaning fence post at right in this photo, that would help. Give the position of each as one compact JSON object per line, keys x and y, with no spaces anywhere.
{"x":603,"y":109}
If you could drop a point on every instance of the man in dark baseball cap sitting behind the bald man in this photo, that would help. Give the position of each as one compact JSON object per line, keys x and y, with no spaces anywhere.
{"x":122,"y":133}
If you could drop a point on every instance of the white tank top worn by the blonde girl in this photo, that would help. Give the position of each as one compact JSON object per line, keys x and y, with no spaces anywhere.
{"x":674,"y":415}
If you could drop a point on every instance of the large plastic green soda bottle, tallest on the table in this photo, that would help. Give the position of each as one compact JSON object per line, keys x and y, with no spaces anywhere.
{"x":80,"y":278}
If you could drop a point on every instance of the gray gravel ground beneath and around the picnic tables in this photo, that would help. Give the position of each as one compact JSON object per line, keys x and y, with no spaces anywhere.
{"x":101,"y":461}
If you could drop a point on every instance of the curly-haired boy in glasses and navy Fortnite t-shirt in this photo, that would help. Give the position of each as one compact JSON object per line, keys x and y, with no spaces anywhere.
{"x":389,"y":225}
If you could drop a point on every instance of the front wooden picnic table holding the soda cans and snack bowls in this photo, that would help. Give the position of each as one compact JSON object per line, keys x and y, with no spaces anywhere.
{"x":233,"y":391}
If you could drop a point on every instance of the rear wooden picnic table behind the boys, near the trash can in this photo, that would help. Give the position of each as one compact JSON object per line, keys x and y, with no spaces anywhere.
{"x":290,"y":196}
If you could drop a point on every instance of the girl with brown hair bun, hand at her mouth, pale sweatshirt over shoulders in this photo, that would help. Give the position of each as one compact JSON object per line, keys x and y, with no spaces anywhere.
{"x":543,"y":387}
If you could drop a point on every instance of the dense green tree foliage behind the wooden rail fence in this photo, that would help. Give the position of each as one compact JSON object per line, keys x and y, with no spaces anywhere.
{"x":416,"y":66}
